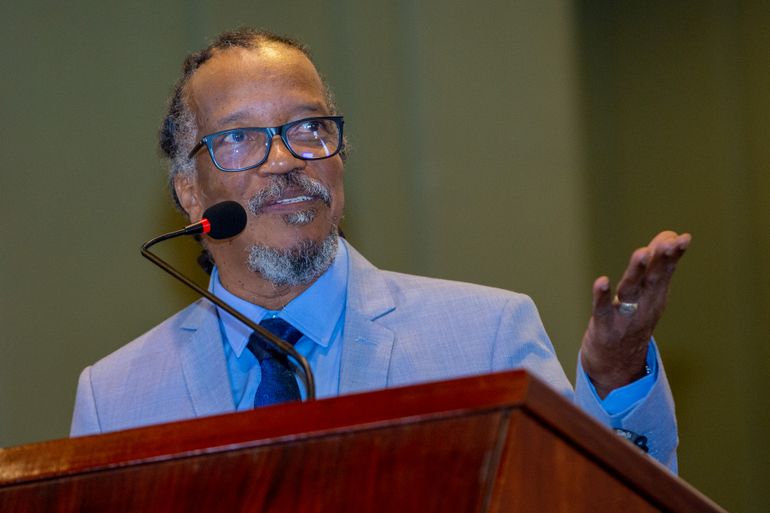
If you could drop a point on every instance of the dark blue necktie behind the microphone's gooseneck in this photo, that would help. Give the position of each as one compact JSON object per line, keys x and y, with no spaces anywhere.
{"x":278,"y":384}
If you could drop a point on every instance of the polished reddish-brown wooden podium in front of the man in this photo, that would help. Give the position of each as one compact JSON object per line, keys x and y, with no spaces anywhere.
{"x":495,"y":443}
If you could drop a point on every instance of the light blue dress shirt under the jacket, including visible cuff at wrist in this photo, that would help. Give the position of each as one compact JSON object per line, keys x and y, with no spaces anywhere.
{"x":319,"y":313}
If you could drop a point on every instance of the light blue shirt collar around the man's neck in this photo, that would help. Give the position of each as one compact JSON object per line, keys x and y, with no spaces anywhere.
{"x":315,"y":312}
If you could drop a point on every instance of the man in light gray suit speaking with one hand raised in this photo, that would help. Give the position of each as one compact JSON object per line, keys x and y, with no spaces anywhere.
{"x":252,"y":121}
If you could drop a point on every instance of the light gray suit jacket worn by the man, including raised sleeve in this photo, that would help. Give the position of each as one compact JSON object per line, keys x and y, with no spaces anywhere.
{"x":399,"y":330}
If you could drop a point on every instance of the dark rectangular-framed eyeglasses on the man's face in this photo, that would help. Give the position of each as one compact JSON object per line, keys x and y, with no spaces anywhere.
{"x":239,"y":149}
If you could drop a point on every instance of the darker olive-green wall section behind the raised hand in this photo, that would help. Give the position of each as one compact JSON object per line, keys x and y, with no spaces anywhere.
{"x":677,"y":116}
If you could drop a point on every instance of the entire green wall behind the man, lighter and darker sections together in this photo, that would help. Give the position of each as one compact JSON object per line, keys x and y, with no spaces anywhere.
{"x":527,"y":145}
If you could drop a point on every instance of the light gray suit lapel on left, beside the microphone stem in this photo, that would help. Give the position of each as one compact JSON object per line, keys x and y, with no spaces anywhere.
{"x":203,"y":362}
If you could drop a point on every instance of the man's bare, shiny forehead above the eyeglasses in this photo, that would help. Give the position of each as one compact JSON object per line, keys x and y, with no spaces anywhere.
{"x":267,"y":86}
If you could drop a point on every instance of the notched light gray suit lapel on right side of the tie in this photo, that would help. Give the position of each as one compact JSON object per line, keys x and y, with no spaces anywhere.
{"x":367,"y":344}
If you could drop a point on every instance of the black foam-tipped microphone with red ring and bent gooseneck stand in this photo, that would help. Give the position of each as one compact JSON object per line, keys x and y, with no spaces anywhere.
{"x":222,"y":221}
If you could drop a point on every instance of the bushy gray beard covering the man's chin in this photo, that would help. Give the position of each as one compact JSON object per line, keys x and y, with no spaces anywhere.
{"x":298,"y":265}
